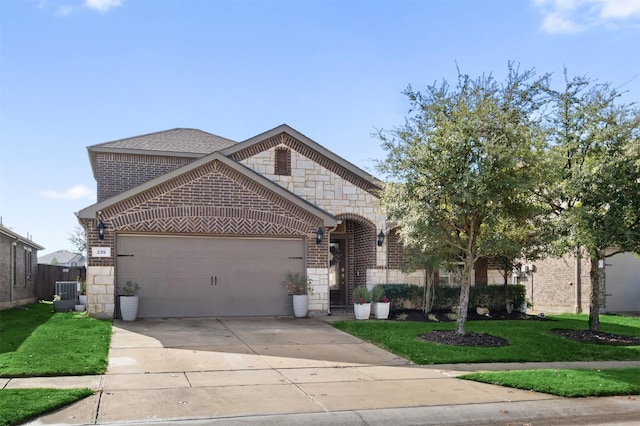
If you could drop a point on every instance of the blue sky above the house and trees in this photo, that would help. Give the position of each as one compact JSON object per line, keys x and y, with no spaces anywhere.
{"x":75,"y":73}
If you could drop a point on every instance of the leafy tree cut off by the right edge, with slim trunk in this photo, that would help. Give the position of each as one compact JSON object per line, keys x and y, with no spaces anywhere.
{"x":592,"y":175}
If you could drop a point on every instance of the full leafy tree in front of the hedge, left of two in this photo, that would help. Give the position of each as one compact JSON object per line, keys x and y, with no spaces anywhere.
{"x":459,"y":166}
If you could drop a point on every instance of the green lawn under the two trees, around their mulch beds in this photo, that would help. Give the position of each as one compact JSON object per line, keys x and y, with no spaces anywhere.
{"x":530,"y":340}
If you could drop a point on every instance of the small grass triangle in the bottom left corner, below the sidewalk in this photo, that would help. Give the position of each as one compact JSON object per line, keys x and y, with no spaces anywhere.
{"x":19,"y":405}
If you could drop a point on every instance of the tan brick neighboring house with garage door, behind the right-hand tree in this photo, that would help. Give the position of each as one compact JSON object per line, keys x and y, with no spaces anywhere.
{"x":564,"y":284}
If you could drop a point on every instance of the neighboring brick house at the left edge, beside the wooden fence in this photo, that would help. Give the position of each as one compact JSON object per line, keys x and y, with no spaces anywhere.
{"x":18,"y":269}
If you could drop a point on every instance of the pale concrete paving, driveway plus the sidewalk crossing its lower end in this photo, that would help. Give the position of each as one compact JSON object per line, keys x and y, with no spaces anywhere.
{"x":286,"y":371}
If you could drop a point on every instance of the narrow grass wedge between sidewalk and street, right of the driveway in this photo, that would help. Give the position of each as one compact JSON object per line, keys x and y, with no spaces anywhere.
{"x":567,"y":383}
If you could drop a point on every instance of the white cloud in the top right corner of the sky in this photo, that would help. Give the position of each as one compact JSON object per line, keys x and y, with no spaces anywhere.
{"x":573,"y":16}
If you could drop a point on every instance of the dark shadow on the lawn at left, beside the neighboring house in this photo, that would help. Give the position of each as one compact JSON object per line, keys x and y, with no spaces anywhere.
{"x":17,"y":324}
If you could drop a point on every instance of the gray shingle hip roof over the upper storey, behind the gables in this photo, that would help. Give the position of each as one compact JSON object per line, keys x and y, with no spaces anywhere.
{"x":175,"y":140}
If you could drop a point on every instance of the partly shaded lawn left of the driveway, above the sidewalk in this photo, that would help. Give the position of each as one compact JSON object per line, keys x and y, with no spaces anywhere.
{"x":34,"y":341}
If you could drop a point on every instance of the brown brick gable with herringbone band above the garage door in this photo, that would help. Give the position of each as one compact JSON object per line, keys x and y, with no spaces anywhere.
{"x":212,"y":199}
